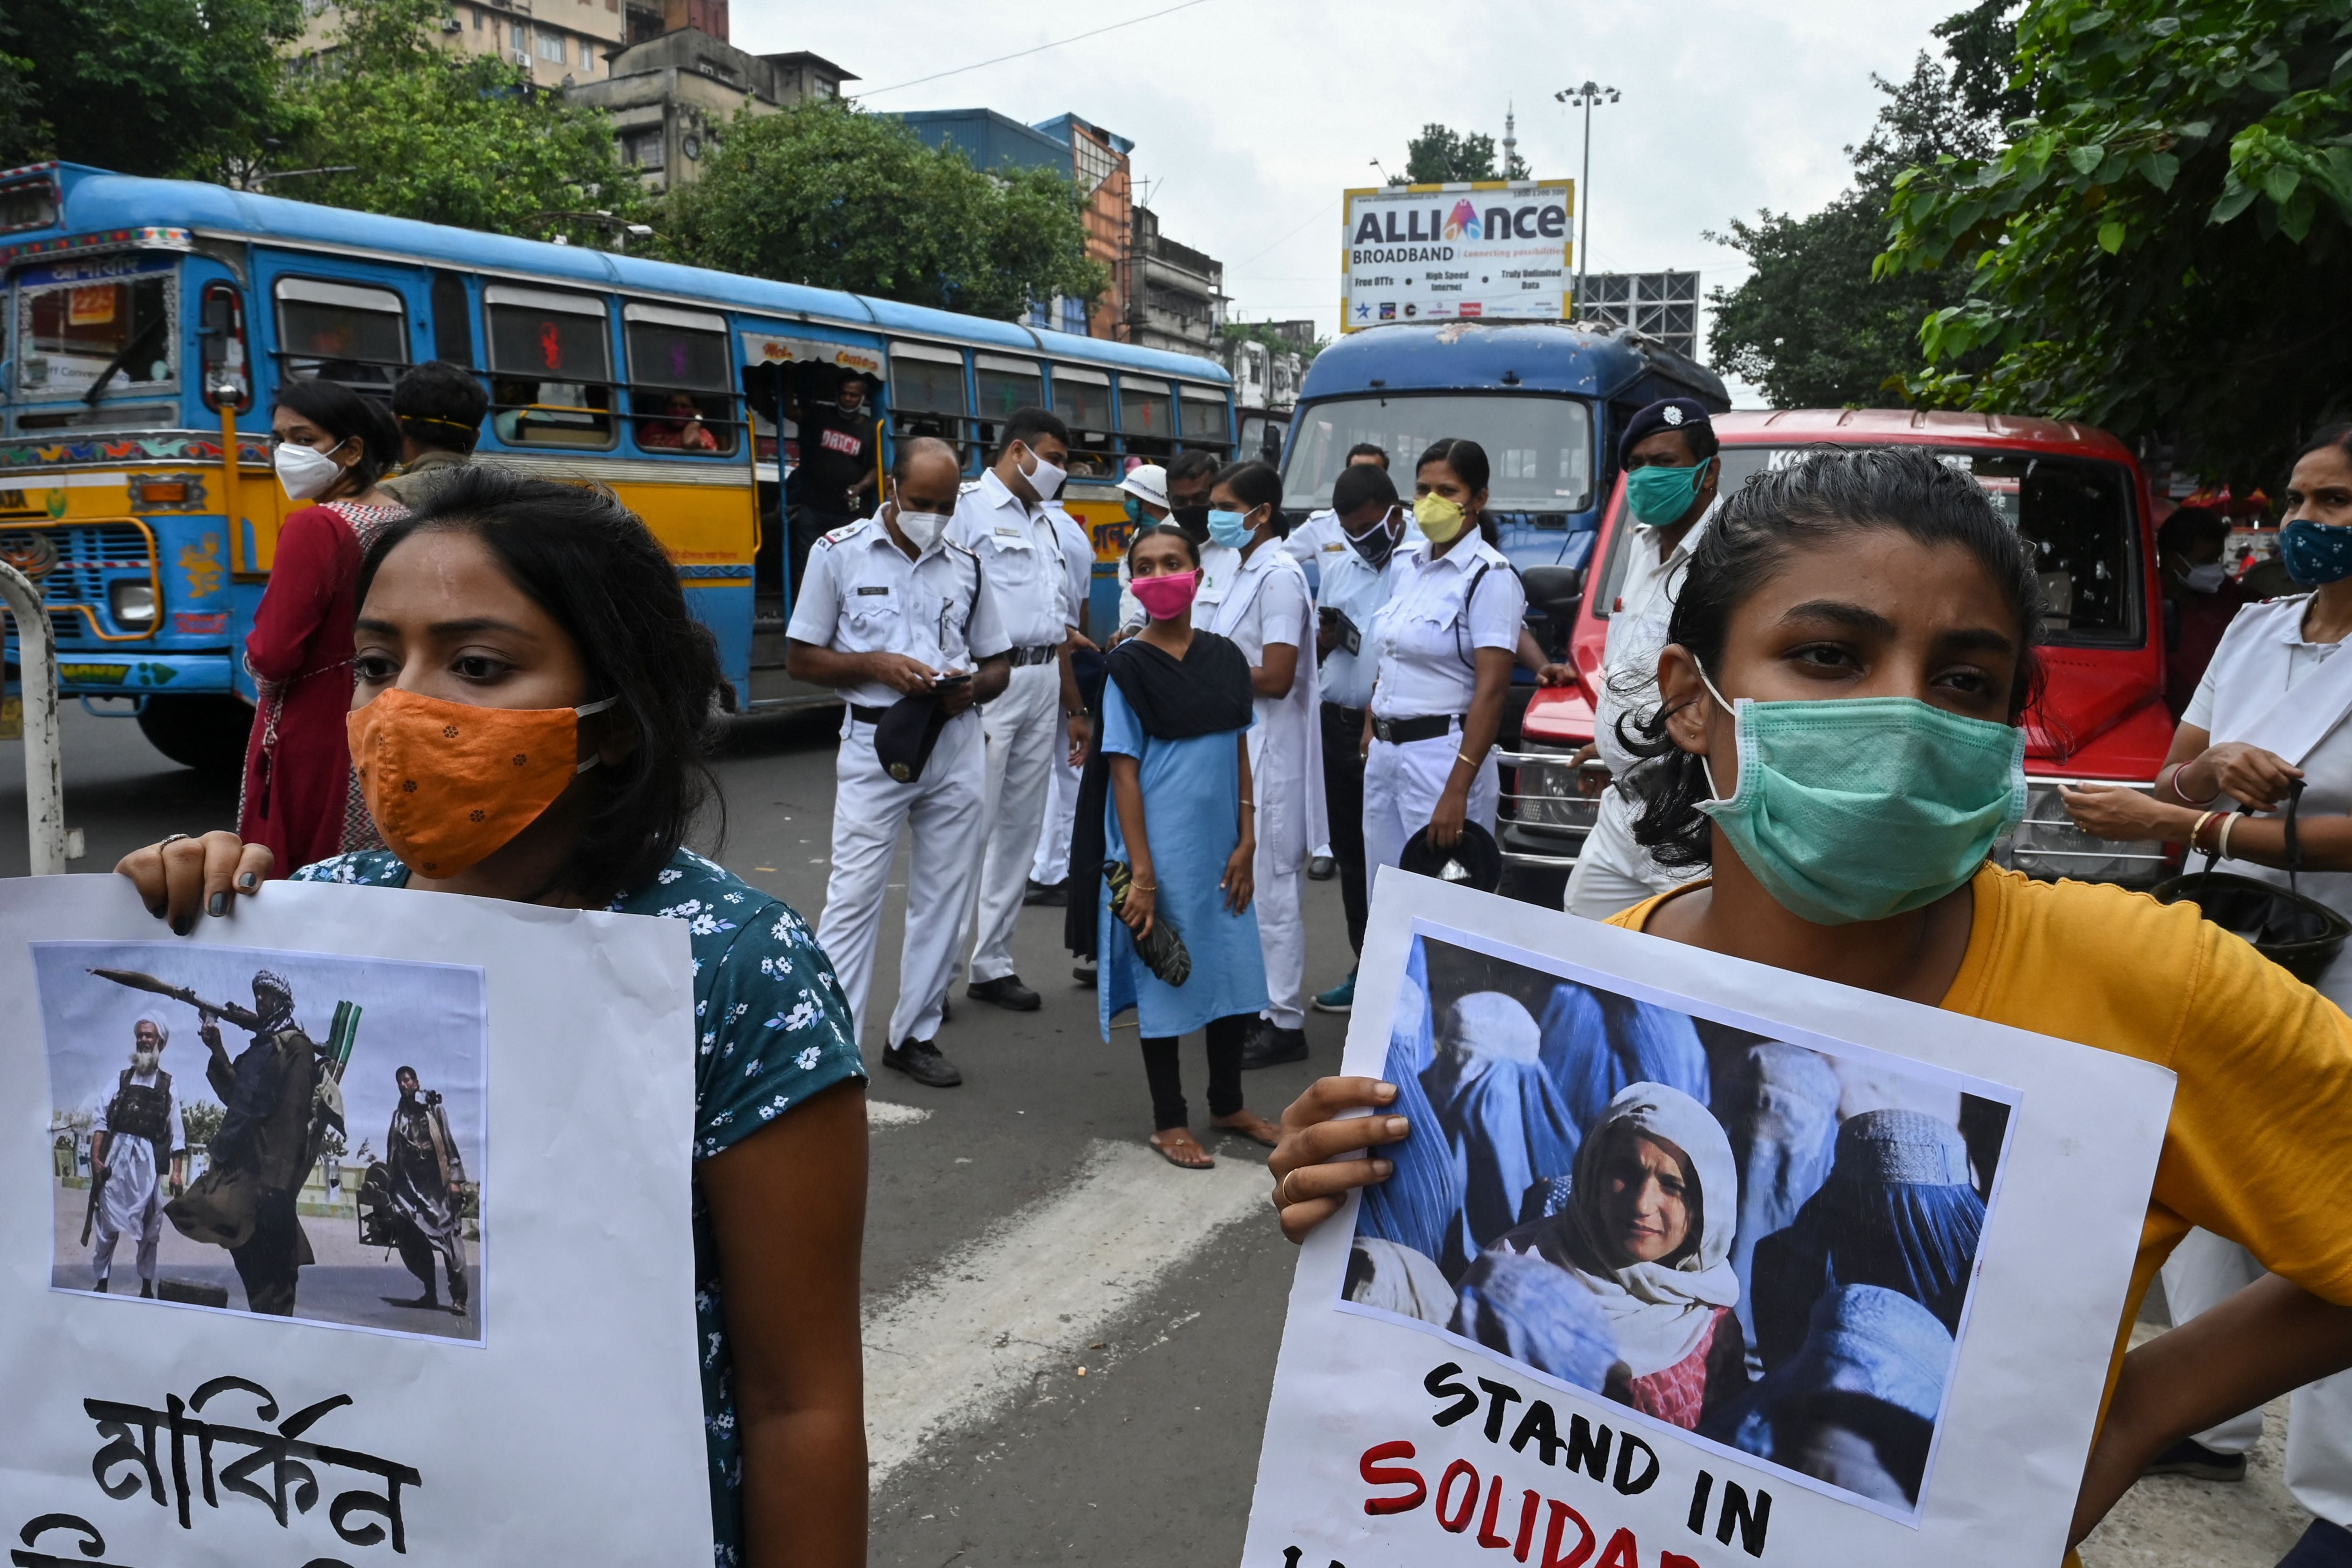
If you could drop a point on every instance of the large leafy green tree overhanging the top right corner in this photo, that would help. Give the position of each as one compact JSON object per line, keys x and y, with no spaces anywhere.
{"x":2165,"y":243}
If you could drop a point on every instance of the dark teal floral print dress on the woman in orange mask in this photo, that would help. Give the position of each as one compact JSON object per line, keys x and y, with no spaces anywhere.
{"x":773,"y":1031}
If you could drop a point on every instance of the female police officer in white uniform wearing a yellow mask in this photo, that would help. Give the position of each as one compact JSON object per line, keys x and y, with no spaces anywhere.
{"x":1448,"y":643}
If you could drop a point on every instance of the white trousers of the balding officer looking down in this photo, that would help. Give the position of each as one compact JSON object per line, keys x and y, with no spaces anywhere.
{"x":944,"y":815}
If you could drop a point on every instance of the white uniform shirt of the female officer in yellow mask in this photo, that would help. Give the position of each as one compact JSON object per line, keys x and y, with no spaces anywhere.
{"x":1426,"y":638}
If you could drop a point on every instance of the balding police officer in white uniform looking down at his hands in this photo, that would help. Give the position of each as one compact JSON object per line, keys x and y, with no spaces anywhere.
{"x":888,"y":608}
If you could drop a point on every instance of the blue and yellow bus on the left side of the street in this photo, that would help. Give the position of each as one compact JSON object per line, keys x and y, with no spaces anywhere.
{"x":149,"y":326}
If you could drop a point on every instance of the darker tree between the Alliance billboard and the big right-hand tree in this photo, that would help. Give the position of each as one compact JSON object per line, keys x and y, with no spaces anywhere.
{"x":1810,"y":326}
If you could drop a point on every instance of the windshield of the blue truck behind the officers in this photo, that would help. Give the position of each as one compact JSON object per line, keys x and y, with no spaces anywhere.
{"x":1539,"y":450}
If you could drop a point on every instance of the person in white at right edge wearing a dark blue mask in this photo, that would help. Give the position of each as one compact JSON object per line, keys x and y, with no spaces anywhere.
{"x":2276,"y":704}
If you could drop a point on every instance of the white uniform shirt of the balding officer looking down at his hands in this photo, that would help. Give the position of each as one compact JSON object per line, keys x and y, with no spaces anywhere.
{"x":862,"y":596}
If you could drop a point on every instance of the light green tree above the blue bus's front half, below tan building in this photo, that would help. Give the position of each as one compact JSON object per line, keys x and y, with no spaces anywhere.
{"x":429,"y":133}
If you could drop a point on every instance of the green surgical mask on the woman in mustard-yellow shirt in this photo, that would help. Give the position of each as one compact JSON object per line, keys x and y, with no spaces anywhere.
{"x":1866,"y":808}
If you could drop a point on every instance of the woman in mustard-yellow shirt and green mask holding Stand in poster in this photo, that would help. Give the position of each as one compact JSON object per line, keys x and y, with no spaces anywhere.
{"x":1850,"y":664}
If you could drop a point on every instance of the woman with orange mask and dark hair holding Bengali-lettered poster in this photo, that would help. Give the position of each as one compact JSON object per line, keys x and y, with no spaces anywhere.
{"x":528,"y":723}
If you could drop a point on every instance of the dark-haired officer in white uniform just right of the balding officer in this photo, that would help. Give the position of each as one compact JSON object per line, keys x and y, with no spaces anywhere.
{"x":1038,"y":572}
